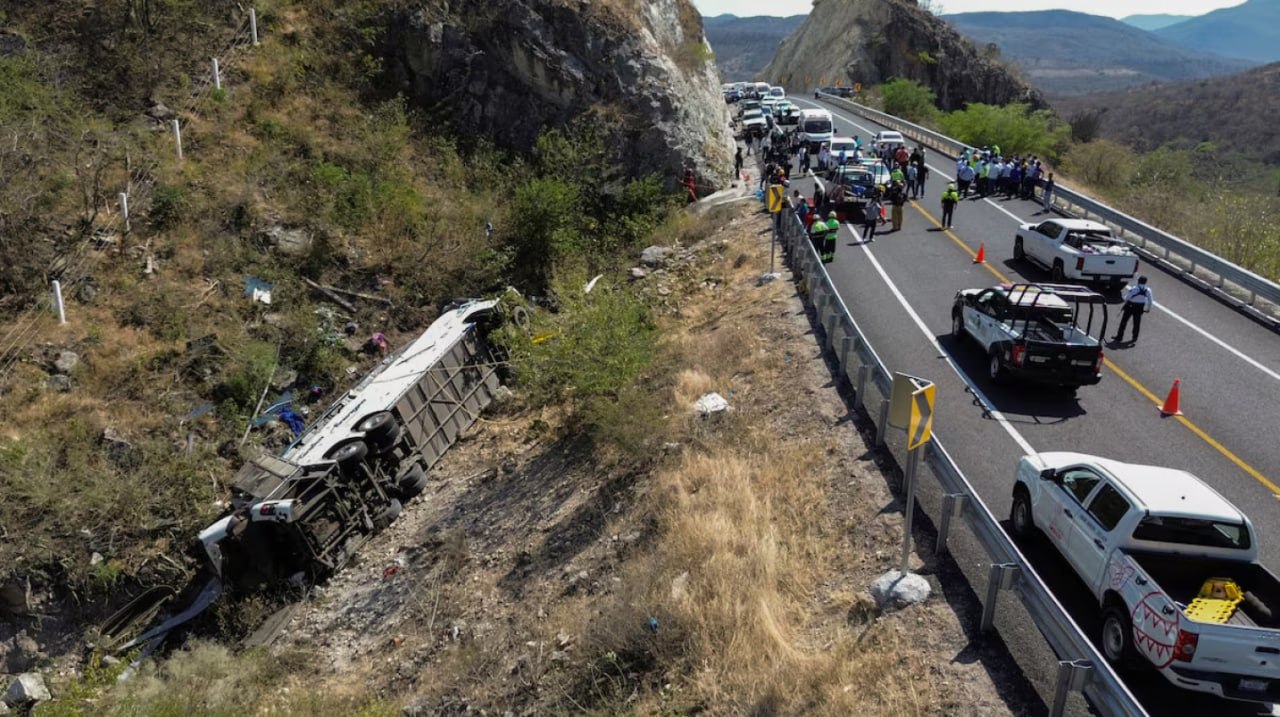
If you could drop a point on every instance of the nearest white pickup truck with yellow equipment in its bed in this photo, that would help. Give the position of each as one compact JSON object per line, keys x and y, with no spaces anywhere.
{"x":1172,"y":563}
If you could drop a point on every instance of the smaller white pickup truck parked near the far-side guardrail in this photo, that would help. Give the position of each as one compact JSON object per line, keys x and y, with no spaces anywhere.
{"x":1078,"y":250}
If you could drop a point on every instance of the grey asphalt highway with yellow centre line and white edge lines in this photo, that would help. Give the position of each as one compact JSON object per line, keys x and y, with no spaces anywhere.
{"x":900,"y":290}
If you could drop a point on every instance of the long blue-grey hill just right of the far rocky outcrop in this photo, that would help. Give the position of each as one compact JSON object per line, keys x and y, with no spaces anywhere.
{"x":1066,"y":53}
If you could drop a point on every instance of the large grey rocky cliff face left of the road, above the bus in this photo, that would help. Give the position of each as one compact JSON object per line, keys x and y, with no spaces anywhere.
{"x":509,"y":70}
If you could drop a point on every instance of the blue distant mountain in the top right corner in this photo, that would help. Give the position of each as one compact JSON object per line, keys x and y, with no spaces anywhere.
{"x":1250,"y":31}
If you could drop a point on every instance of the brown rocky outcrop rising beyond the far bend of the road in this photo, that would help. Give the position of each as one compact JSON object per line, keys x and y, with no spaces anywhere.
{"x":871,"y":42}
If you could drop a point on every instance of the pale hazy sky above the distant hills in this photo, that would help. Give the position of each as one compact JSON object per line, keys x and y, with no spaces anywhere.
{"x":1112,"y":8}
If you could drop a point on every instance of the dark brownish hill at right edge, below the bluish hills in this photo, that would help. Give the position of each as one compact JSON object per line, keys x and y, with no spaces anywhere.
{"x":1235,"y":113}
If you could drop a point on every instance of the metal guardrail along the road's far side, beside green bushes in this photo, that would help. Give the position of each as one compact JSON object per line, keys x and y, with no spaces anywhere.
{"x":1227,"y":281}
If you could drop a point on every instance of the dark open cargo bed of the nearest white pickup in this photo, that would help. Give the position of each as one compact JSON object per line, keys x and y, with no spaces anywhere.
{"x":1183,"y":577}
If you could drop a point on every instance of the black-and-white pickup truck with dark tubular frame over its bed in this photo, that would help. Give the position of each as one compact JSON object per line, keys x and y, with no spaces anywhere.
{"x":1034,"y":331}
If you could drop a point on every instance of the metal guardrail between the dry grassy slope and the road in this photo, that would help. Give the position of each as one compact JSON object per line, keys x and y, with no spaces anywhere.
{"x":1081,"y":666}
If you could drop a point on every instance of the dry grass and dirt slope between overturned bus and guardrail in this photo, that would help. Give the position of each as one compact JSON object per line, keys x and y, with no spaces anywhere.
{"x":491,"y":591}
